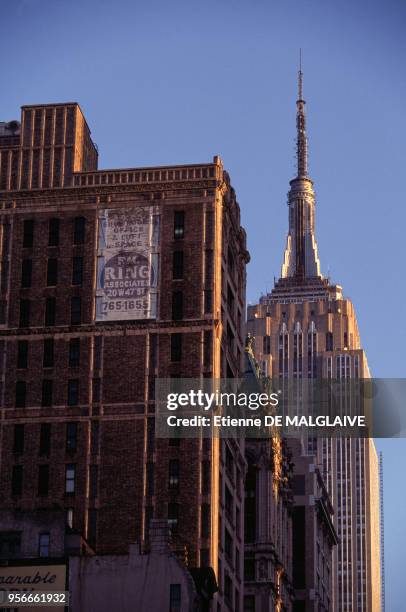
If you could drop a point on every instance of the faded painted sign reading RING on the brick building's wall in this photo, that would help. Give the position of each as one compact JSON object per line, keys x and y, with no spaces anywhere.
{"x":127,"y":265}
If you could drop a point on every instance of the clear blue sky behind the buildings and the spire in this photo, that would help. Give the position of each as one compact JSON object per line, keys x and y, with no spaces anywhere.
{"x":177,"y":82}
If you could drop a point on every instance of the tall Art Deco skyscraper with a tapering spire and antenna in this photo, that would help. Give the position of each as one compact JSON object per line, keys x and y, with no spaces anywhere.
{"x":305,"y":329}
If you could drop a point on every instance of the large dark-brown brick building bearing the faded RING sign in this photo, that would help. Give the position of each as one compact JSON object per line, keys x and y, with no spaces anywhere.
{"x":81,"y":345}
